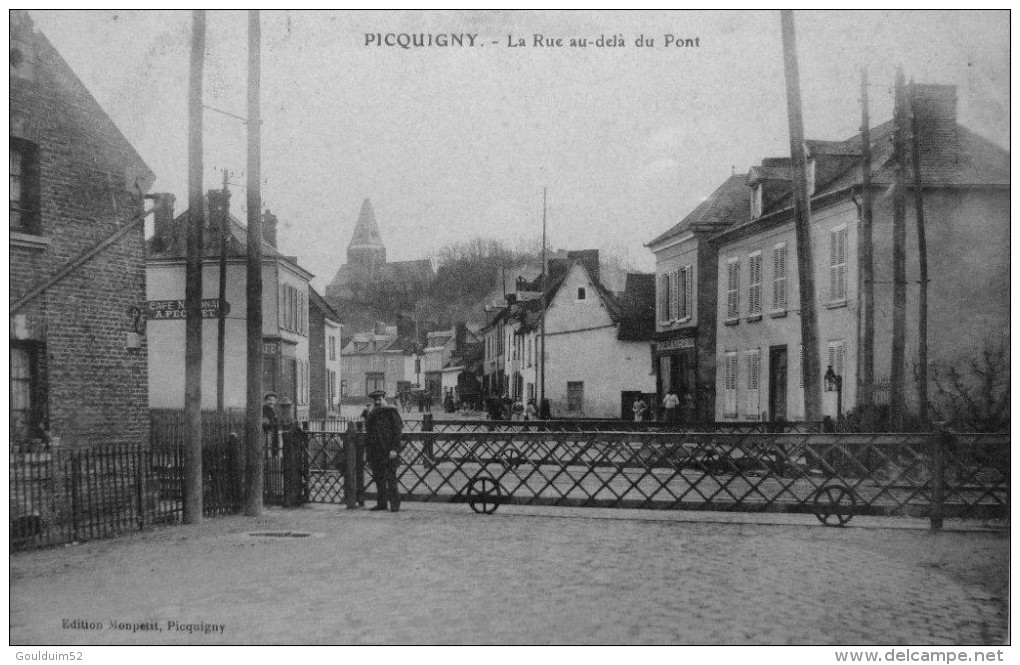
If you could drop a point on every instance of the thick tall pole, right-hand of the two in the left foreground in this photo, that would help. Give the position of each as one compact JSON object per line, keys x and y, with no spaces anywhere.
{"x":254,"y":461}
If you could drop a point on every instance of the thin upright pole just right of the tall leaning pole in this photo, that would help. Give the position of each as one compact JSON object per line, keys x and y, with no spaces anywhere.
{"x":866,"y":277}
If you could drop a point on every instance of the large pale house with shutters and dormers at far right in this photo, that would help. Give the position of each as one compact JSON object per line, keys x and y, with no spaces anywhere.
{"x":965,"y":182}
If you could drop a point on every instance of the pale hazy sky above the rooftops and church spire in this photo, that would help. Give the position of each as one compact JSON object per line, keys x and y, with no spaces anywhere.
{"x":452,"y":143}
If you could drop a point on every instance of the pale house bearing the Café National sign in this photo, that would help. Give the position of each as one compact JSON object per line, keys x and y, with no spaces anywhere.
{"x":286,"y":369}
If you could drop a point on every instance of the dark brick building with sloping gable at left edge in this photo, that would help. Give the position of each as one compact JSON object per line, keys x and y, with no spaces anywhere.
{"x":78,"y":356}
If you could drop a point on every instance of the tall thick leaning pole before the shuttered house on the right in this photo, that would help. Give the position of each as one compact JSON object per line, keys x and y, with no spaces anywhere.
{"x":810,"y":369}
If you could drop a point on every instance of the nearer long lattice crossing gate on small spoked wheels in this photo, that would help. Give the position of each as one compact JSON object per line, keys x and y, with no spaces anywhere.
{"x":928,"y":476}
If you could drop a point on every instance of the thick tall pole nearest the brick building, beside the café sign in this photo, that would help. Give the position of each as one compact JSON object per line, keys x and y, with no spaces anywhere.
{"x":193,"y":282}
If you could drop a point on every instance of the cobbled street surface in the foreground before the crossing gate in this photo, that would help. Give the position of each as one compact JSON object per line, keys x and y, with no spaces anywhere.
{"x":441,"y":575}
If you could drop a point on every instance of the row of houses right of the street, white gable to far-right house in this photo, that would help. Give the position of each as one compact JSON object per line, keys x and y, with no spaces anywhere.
{"x":720,"y":321}
